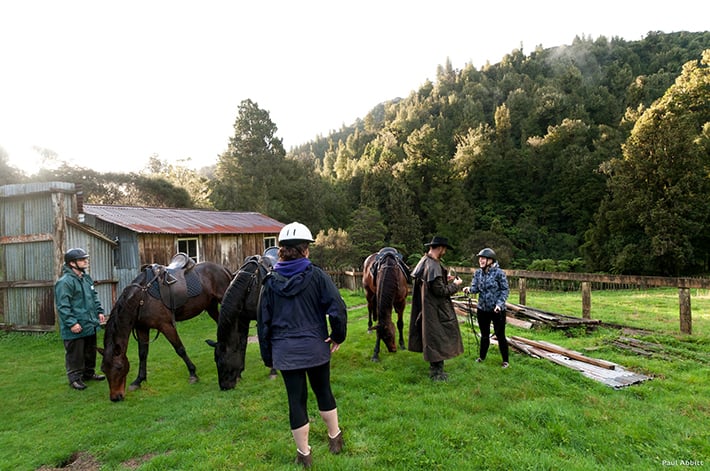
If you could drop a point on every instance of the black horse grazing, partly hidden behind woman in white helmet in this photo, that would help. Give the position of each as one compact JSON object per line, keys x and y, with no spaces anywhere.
{"x":238,"y":309}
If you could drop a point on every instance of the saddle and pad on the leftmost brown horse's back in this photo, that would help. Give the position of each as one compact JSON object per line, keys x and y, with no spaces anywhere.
{"x":175,"y":282}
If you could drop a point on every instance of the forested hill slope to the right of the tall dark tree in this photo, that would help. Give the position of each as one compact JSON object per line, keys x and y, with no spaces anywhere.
{"x":518,"y":156}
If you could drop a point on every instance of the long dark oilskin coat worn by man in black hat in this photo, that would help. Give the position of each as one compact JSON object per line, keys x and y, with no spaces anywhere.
{"x":433,"y":326}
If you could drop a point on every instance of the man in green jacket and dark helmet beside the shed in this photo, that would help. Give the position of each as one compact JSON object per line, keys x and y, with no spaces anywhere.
{"x":80,"y":317}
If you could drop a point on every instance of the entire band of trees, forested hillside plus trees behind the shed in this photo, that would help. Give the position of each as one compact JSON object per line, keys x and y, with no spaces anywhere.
{"x":593,"y":156}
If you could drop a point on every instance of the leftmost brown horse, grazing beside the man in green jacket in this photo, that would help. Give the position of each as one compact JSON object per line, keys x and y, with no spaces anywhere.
{"x":139,"y":309}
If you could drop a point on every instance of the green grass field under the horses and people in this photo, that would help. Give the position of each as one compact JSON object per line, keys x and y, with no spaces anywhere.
{"x":535,"y":415}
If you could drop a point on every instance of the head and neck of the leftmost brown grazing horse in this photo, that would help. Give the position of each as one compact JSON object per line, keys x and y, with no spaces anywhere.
{"x":115,"y":364}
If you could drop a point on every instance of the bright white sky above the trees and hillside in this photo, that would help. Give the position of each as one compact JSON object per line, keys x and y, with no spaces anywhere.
{"x":106,"y":85}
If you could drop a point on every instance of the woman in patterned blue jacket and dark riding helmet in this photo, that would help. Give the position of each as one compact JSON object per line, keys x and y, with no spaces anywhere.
{"x":491,"y":285}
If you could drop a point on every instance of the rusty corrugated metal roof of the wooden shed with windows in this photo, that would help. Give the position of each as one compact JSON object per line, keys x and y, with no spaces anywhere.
{"x":184,"y":221}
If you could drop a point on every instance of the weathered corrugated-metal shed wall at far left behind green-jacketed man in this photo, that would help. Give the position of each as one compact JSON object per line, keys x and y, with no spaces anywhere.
{"x":34,"y":235}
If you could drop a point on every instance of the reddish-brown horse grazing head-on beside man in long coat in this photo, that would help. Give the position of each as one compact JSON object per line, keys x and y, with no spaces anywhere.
{"x":385,"y":278}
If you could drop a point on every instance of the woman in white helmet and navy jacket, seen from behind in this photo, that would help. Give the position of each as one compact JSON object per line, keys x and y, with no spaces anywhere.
{"x":298,"y":301}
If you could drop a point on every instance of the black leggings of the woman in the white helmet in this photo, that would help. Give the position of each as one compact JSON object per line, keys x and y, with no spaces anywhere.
{"x":297,"y":391}
